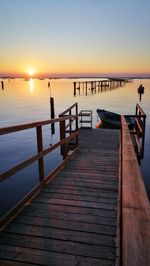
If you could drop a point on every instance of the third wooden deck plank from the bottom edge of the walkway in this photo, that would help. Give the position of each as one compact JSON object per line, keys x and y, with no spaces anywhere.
{"x":59,"y":234}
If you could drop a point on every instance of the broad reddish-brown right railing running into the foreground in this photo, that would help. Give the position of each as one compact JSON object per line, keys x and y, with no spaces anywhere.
{"x":135,"y":206}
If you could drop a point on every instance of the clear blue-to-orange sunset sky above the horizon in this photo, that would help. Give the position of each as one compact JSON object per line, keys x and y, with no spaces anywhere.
{"x":82,"y":37}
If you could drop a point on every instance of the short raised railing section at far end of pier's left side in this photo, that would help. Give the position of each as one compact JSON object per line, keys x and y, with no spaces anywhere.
{"x":70,"y":128}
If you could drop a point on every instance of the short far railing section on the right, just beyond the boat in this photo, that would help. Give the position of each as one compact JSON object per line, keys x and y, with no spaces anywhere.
{"x":139,"y":131}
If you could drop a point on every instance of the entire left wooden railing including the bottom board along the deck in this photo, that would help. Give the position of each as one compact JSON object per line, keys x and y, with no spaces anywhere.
{"x":40,"y":154}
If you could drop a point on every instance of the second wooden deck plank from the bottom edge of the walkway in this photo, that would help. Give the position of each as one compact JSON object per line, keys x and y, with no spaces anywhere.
{"x":66,"y":247}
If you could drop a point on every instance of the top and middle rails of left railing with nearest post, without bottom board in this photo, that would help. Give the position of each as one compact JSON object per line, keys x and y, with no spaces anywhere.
{"x":41,"y":153}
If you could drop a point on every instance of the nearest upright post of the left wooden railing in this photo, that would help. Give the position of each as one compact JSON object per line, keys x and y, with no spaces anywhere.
{"x":40,"y":148}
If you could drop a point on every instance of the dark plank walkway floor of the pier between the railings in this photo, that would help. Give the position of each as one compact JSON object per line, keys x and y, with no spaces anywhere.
{"x":73,"y":220}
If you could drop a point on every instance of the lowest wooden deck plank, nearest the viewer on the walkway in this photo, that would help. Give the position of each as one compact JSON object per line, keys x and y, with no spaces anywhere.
{"x":47,"y":258}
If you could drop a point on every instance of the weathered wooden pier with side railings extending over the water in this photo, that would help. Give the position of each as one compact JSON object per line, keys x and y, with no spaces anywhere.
{"x":91,"y":210}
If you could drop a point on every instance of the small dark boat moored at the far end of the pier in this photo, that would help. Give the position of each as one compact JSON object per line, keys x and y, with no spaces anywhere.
{"x":113,"y":120}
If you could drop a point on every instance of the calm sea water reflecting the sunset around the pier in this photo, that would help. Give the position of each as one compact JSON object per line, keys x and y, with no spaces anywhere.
{"x":26,"y":101}
